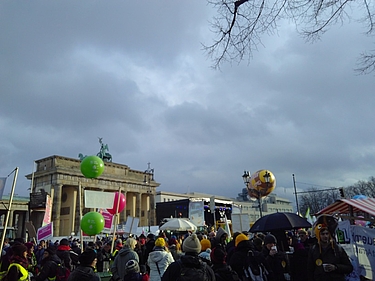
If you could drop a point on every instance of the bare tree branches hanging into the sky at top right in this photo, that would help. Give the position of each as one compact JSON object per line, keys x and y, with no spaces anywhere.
{"x":240,"y":24}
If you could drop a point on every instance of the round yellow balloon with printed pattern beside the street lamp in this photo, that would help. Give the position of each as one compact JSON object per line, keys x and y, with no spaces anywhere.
{"x":259,"y":186}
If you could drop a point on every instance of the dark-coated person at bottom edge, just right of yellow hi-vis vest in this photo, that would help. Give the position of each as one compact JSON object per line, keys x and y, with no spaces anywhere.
{"x":49,"y":265}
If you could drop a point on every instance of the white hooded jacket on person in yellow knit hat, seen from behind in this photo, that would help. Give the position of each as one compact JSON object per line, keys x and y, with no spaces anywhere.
{"x":160,"y":257}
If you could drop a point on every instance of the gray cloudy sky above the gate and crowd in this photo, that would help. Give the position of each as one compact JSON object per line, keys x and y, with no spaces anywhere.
{"x":134,"y":73}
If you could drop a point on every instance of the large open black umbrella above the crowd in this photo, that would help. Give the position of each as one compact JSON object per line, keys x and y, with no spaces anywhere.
{"x":279,"y":221}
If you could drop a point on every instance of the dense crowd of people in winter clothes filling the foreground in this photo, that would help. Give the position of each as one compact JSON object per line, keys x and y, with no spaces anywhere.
{"x":211,"y":256}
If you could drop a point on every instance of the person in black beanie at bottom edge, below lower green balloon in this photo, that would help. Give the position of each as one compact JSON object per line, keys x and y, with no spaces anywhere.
{"x":85,"y":270}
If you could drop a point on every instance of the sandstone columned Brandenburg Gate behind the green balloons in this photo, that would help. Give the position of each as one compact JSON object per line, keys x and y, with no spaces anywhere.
{"x":61,"y":178}
